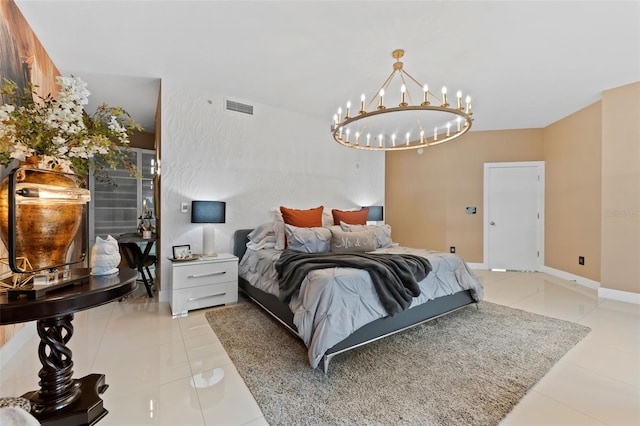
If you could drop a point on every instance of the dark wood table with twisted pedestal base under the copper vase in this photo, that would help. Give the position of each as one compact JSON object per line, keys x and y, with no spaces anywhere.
{"x":61,"y":399}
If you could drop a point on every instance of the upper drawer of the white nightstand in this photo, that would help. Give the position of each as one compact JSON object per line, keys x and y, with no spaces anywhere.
{"x":202,"y":274}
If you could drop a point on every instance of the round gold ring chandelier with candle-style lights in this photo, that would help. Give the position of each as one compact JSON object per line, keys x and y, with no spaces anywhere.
{"x":409,"y":125}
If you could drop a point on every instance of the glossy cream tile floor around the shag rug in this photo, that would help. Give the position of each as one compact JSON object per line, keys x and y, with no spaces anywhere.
{"x":159,"y":369}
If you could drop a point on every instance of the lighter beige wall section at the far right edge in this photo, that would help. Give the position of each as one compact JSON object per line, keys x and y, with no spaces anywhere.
{"x":621,"y":189}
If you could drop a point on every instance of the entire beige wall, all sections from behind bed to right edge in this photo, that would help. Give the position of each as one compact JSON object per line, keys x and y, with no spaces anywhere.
{"x":592,"y":202}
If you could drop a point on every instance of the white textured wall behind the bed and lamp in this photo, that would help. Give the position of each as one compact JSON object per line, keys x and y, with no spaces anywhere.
{"x":275,"y":157}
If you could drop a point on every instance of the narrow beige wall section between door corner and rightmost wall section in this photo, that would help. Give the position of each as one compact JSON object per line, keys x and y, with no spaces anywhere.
{"x":573,"y":157}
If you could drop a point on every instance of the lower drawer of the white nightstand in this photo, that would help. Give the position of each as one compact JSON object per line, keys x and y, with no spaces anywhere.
{"x":201,"y":297}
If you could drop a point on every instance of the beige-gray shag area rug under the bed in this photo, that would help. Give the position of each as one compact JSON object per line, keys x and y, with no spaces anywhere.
{"x":467,"y":368}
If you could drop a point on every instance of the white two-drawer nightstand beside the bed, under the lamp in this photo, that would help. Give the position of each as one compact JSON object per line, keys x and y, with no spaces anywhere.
{"x":203,"y":283}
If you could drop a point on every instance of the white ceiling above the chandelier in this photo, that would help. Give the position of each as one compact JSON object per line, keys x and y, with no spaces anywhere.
{"x":526,"y":64}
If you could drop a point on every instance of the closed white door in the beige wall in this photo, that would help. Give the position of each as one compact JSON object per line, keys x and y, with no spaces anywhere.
{"x":514,"y":221}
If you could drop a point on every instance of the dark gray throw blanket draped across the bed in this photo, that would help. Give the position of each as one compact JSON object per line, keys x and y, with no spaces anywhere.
{"x":394,"y":276}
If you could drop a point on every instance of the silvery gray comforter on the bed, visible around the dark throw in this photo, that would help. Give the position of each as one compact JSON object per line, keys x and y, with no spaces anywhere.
{"x":332,"y":303}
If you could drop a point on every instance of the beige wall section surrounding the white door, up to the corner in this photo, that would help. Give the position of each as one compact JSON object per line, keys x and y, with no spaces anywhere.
{"x":426,"y":195}
